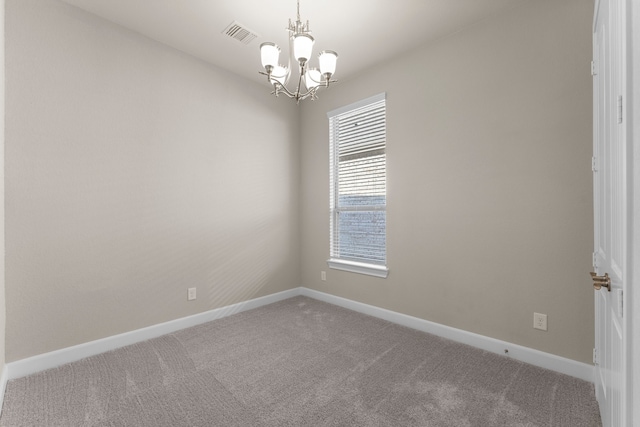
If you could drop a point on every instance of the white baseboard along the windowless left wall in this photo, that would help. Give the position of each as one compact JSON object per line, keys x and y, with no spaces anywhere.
{"x":63,"y":356}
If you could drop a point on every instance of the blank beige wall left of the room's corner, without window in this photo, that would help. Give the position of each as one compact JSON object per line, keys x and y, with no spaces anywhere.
{"x":133,"y":172}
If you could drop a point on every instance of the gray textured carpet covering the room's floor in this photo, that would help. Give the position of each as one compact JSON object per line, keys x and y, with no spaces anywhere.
{"x":299,"y":362}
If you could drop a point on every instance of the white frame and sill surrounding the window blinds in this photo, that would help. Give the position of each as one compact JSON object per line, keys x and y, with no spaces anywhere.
{"x":380,"y":270}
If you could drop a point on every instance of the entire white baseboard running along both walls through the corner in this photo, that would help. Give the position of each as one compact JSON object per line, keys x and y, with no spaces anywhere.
{"x":63,"y":356}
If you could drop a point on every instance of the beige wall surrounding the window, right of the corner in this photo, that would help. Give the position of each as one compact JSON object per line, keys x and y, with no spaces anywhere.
{"x":489,"y":180}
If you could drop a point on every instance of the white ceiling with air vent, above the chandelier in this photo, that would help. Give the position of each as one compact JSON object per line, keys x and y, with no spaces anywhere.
{"x":363,"y":32}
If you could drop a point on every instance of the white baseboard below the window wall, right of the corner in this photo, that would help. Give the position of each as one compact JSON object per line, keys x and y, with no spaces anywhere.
{"x":518,"y":352}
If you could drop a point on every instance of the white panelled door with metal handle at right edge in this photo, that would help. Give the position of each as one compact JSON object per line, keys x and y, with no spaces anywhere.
{"x":609,"y":165}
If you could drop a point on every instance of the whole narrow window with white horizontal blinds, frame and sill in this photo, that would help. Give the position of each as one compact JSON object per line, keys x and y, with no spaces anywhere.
{"x":358,"y":177}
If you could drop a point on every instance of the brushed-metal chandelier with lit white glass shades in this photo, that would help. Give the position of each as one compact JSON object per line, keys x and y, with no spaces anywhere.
{"x":309,"y":79}
